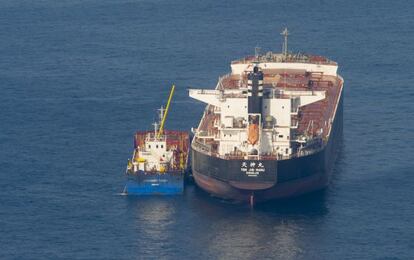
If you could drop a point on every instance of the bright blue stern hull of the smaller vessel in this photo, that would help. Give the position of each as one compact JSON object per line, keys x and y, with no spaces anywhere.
{"x":155,"y":184}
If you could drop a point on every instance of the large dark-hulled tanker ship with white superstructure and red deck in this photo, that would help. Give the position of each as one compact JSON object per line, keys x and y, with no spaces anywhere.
{"x":271,"y":128}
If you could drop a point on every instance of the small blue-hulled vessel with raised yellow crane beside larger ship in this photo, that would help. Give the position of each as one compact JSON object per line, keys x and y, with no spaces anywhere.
{"x":159,"y":161}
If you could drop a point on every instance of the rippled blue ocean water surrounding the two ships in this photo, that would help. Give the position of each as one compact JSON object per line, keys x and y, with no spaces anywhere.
{"x":77,"y":78}
